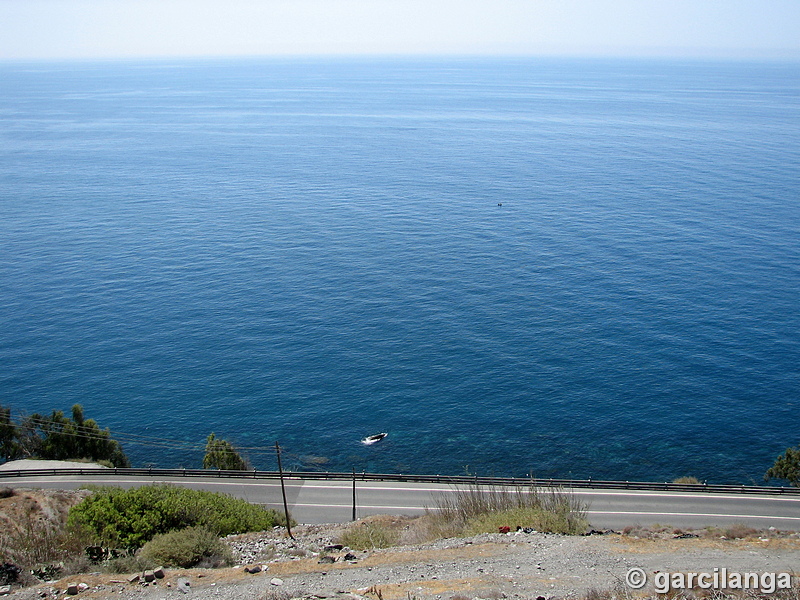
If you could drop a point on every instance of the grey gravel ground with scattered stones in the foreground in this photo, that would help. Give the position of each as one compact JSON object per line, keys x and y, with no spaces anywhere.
{"x":494,"y":566}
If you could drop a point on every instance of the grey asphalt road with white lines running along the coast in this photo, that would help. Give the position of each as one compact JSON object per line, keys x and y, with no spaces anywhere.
{"x":315,"y":501}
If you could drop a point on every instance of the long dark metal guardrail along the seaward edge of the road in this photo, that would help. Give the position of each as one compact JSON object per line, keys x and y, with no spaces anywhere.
{"x":456,"y":480}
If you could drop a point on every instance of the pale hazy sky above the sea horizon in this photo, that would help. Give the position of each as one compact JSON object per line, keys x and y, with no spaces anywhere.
{"x":136,"y":28}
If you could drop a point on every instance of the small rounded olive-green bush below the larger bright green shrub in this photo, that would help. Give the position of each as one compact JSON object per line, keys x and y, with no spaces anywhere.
{"x":187,"y":548}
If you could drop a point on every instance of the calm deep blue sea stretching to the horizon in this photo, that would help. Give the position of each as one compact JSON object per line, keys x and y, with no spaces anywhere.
{"x":547,"y":267}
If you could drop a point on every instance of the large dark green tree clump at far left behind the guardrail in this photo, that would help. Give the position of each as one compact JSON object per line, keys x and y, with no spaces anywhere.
{"x":59,"y":437}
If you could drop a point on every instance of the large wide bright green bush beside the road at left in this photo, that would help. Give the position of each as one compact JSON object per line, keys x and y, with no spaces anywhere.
{"x":130,"y":518}
